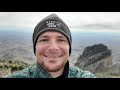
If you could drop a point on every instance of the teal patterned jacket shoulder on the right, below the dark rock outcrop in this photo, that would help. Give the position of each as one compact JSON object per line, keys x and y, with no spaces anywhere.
{"x":75,"y":72}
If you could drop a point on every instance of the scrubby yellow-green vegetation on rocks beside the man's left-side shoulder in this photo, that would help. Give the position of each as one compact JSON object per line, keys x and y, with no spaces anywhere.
{"x":9,"y":66}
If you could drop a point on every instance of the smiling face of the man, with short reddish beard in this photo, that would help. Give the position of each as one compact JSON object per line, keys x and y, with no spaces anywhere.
{"x":52,"y":51}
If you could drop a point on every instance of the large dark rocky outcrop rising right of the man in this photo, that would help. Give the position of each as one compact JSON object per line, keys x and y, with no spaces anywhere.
{"x":95,"y":58}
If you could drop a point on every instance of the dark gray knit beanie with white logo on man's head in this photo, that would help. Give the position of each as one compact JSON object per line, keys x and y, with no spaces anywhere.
{"x":52,"y":23}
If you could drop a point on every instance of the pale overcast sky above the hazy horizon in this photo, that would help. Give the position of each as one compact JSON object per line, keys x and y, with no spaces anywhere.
{"x":86,"y":20}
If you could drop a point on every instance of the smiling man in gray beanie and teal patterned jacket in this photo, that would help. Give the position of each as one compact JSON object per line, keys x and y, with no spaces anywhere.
{"x":52,"y":48}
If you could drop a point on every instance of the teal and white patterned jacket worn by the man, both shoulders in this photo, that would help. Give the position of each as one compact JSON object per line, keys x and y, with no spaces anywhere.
{"x":36,"y":71}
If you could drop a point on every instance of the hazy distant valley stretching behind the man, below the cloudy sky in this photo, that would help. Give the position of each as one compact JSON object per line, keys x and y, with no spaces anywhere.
{"x":17,"y":44}
